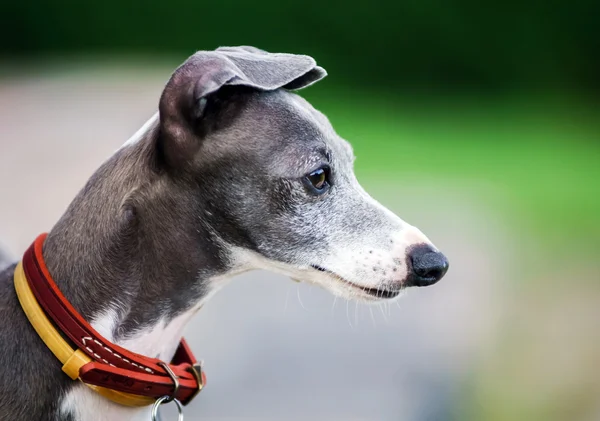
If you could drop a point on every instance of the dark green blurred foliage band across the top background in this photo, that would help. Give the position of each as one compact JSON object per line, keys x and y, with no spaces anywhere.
{"x":418,"y":45}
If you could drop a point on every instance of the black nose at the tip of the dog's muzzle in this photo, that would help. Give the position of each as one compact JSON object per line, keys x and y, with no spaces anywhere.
{"x":428,"y":266}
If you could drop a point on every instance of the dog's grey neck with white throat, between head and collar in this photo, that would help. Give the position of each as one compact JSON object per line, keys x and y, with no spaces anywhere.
{"x":131,"y":256}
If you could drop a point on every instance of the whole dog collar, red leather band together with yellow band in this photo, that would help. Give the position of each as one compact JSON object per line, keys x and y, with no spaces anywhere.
{"x":122,"y":376}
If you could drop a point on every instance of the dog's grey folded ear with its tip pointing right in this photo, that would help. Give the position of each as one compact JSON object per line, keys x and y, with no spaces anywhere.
{"x":185,"y":96}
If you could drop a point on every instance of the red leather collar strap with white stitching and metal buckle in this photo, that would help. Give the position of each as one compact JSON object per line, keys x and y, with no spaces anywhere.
{"x":112,"y":367}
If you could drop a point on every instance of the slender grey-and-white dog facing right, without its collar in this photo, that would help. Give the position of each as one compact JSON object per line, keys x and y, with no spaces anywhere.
{"x":234,"y":172}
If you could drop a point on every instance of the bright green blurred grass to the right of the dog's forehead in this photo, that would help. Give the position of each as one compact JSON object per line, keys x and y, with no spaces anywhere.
{"x":535,"y":159}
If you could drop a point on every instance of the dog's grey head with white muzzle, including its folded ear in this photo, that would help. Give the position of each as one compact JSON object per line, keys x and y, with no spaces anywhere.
{"x":276,"y":182}
